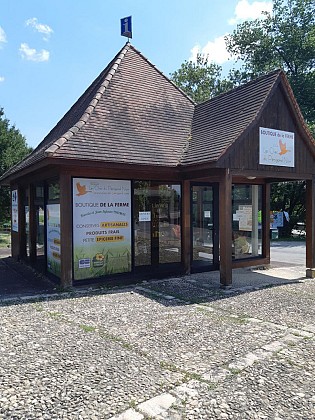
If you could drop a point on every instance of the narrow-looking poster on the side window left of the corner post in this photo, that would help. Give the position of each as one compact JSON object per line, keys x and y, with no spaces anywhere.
{"x":53,"y":239}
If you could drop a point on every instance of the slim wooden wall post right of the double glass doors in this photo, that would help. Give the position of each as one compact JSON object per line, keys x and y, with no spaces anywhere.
{"x":186,"y":239}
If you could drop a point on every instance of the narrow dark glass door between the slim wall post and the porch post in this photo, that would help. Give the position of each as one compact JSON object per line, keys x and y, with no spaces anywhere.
{"x":204,"y":224}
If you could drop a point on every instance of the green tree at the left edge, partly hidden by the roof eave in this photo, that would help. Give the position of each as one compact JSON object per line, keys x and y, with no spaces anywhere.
{"x":13,"y":148}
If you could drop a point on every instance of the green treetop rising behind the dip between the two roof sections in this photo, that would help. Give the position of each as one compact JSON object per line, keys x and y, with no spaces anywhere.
{"x":200,"y":80}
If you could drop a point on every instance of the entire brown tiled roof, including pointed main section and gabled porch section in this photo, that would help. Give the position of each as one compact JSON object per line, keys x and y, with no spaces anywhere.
{"x":133,"y":114}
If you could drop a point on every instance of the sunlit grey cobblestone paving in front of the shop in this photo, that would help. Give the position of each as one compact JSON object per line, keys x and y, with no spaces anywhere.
{"x":173,"y":349}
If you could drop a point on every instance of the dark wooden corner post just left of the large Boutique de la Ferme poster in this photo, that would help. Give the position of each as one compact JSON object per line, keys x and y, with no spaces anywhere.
{"x":66,"y":229}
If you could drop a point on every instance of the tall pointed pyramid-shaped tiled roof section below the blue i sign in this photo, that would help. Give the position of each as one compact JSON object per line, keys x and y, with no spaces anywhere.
{"x":131,"y":113}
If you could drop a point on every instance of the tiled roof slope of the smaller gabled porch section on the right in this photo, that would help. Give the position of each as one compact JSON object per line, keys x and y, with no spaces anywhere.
{"x":219,"y":122}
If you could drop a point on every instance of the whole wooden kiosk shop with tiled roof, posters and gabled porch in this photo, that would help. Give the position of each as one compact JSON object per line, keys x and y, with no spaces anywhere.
{"x":137,"y":180}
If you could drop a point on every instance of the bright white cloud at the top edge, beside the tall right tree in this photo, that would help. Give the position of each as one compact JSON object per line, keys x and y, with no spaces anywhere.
{"x":246,"y":11}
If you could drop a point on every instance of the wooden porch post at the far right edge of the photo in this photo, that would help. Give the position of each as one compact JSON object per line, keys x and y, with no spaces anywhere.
{"x":310,"y":228}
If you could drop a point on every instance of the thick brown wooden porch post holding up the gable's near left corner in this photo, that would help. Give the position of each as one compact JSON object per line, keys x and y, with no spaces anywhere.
{"x":225,"y":226}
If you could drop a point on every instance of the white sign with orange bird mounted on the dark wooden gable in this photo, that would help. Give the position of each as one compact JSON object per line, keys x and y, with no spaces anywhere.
{"x":276,"y":147}
